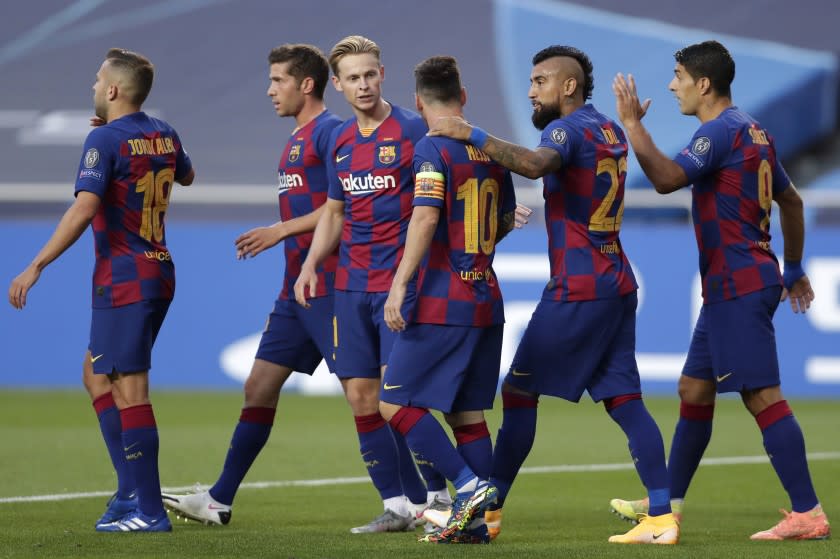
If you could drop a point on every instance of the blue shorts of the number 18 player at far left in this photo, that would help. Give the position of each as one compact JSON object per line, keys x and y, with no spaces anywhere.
{"x":121,"y":338}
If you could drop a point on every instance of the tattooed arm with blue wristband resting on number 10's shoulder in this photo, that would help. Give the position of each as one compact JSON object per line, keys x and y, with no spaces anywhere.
{"x":531,"y":163}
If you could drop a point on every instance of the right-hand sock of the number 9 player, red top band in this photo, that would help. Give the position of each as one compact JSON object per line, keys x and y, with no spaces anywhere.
{"x":785,"y":446}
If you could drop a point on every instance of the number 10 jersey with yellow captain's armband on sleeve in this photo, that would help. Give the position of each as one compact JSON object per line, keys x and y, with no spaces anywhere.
{"x":456,"y":284}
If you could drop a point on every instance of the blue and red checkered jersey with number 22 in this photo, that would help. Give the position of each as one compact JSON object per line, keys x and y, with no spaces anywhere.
{"x":584,"y":205}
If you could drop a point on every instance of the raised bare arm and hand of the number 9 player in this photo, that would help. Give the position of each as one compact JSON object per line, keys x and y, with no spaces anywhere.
{"x":665,"y":175}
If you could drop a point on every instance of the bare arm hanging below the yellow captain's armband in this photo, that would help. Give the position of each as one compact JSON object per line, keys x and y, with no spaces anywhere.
{"x":421,"y":229}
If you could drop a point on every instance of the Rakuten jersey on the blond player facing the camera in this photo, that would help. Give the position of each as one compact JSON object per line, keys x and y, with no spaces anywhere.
{"x":372,"y":175}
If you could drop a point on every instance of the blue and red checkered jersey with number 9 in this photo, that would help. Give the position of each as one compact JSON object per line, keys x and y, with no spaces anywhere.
{"x":731,"y":162}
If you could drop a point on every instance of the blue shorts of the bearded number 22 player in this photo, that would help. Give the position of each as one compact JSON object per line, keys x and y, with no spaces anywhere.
{"x":580,"y":345}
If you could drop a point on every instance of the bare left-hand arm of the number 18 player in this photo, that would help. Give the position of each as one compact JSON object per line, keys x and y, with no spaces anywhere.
{"x":73,"y":223}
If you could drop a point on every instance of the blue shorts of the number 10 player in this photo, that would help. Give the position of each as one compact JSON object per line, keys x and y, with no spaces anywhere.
{"x":446,"y":368}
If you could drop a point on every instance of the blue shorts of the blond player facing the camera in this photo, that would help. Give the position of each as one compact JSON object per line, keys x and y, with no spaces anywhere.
{"x":363,"y":340}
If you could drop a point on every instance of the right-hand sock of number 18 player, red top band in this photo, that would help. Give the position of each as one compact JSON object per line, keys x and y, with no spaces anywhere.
{"x":140,"y":444}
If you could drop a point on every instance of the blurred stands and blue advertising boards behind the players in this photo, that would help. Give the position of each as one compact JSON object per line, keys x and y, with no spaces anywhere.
{"x":211,"y":81}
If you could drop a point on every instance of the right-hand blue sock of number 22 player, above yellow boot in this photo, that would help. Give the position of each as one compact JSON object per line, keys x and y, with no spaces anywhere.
{"x":646,"y":448}
